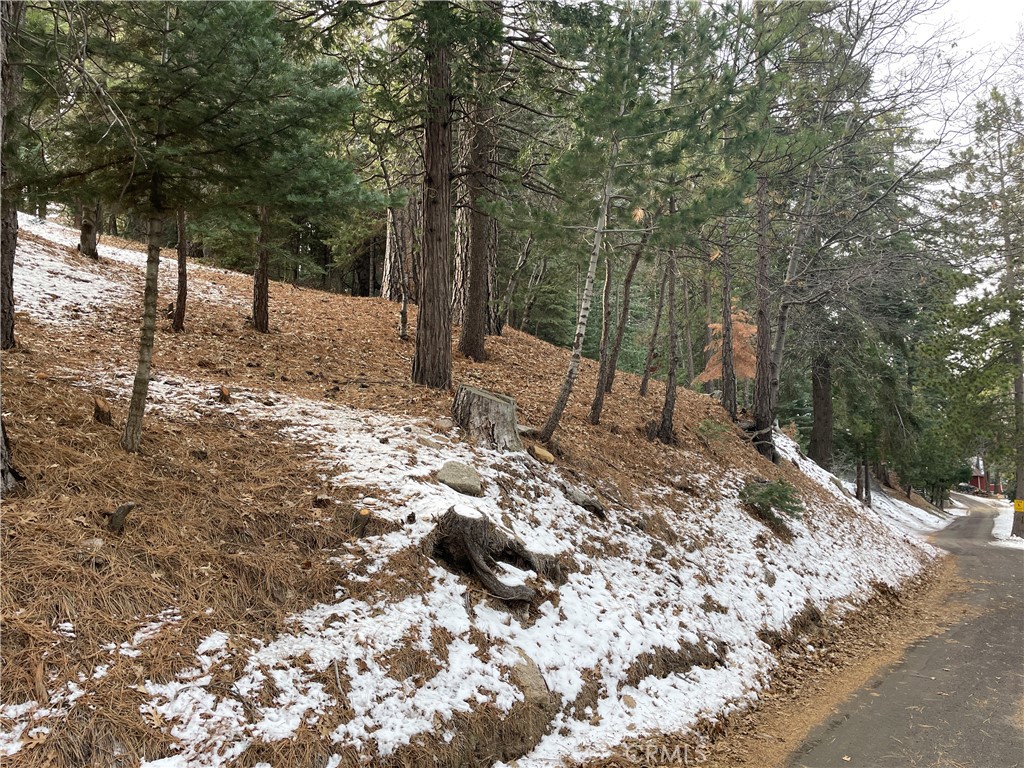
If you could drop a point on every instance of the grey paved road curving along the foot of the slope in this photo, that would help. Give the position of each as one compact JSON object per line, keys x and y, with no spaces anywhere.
{"x":957,"y":699}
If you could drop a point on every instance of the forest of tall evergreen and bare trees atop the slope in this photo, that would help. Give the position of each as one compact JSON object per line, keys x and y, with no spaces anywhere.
{"x":767,"y":202}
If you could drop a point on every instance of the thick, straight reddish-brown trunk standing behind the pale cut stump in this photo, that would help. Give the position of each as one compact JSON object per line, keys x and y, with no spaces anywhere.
{"x":433,"y":362}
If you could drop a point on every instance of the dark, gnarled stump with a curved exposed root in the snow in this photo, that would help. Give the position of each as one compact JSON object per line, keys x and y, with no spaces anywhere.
{"x":476,"y":544}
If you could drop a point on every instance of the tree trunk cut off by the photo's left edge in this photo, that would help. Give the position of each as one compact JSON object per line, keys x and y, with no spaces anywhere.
{"x":12,"y":16}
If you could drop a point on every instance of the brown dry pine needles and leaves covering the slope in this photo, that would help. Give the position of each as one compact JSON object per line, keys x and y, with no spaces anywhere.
{"x":227,"y":531}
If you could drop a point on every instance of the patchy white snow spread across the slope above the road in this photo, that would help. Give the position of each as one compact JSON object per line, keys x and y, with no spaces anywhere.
{"x":713,"y":589}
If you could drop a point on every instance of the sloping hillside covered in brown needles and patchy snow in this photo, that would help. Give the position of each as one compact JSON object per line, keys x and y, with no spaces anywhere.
{"x":237,"y":622}
